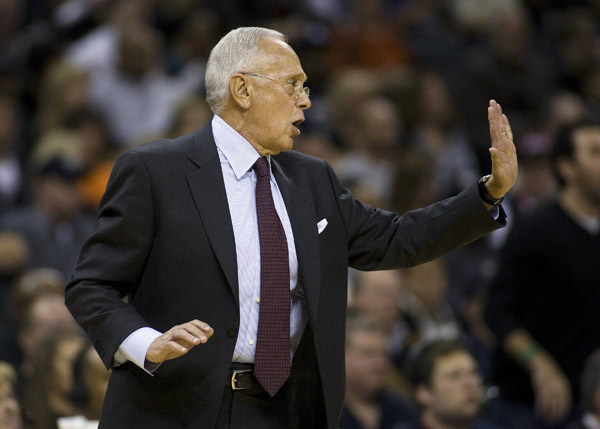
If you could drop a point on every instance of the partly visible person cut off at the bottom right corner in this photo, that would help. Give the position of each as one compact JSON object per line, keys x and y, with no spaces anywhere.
{"x":590,"y":394}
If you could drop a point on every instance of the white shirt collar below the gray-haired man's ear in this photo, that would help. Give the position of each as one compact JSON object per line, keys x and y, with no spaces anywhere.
{"x":240,"y":154}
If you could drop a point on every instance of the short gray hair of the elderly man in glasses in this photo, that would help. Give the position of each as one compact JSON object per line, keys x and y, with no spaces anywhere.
{"x":235,"y":52}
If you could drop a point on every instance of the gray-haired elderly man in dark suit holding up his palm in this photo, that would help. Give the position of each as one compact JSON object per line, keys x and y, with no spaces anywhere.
{"x":215,"y":282}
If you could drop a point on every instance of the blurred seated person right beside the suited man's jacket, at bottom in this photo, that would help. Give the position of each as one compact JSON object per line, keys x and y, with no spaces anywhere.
{"x":369,"y":404}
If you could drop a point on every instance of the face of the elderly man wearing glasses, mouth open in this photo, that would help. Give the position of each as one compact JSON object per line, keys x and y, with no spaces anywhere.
{"x":276,"y":110}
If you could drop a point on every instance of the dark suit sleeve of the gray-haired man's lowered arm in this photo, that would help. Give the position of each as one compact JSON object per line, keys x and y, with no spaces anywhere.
{"x":113,"y":259}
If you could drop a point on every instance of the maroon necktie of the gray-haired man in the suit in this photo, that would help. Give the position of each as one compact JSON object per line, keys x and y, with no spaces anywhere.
{"x":272,"y":357}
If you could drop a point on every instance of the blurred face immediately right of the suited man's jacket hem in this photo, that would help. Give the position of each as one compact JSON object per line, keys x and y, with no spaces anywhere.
{"x":366,"y":362}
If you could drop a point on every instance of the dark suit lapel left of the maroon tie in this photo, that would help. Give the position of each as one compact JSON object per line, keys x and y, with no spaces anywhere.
{"x":208,"y":189}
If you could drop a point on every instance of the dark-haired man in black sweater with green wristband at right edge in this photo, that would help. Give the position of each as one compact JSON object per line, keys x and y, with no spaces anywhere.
{"x":543,"y":303}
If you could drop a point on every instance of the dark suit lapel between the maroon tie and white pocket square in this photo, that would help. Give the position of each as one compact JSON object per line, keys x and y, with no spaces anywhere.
{"x":301,"y":212}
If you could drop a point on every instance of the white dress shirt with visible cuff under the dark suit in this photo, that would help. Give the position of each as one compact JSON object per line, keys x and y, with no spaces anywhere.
{"x":237,"y":156}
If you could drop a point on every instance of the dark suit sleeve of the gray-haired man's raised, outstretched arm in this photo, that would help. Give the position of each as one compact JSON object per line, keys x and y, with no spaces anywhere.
{"x":379,"y":239}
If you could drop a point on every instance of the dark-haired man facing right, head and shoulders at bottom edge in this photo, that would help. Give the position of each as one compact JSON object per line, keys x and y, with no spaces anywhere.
{"x":448,"y":387}
